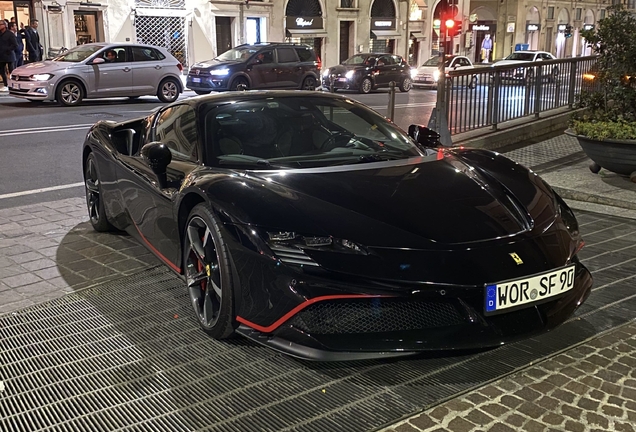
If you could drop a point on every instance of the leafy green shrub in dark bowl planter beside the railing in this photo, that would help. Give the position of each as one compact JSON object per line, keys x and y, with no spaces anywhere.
{"x":606,"y":128}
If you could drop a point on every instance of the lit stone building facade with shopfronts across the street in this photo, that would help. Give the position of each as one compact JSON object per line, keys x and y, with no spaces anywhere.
{"x":197,"y":30}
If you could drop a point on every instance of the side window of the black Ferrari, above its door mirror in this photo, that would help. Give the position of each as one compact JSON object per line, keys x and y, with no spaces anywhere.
{"x":176,"y":128}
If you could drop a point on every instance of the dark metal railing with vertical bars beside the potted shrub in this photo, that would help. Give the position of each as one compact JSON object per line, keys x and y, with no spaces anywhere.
{"x":488,"y":96}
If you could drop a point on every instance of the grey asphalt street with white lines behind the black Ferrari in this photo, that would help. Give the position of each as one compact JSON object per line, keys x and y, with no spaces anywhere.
{"x":41,"y":143}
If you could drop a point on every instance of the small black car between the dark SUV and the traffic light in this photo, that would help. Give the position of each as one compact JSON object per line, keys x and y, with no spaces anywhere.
{"x":365,"y":72}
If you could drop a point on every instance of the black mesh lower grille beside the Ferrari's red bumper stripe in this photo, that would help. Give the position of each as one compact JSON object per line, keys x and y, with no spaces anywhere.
{"x":373,"y":315}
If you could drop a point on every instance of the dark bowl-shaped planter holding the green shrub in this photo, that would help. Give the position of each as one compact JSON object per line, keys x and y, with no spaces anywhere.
{"x":618,"y":156}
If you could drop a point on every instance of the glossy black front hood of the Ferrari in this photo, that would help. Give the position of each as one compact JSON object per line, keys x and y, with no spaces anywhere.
{"x":423,"y":203}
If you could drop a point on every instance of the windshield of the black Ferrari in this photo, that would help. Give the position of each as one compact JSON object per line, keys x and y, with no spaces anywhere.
{"x":295,"y":132}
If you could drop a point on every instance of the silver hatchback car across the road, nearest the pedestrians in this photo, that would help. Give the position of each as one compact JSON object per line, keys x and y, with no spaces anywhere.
{"x":100,"y":70}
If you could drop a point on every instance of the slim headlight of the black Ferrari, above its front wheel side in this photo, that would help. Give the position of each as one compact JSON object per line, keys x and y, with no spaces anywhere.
{"x":322,"y":243}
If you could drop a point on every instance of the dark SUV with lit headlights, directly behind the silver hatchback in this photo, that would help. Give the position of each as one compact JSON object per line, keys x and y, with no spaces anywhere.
{"x":258,"y":66}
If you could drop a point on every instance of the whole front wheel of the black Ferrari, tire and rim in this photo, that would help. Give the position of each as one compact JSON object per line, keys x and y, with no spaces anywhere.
{"x":208,"y":273}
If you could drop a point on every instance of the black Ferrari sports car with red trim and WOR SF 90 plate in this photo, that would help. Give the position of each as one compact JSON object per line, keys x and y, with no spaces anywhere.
{"x":311,"y":224}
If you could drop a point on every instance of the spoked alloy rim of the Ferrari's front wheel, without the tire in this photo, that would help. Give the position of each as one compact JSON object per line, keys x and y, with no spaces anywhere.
{"x":203,"y":273}
